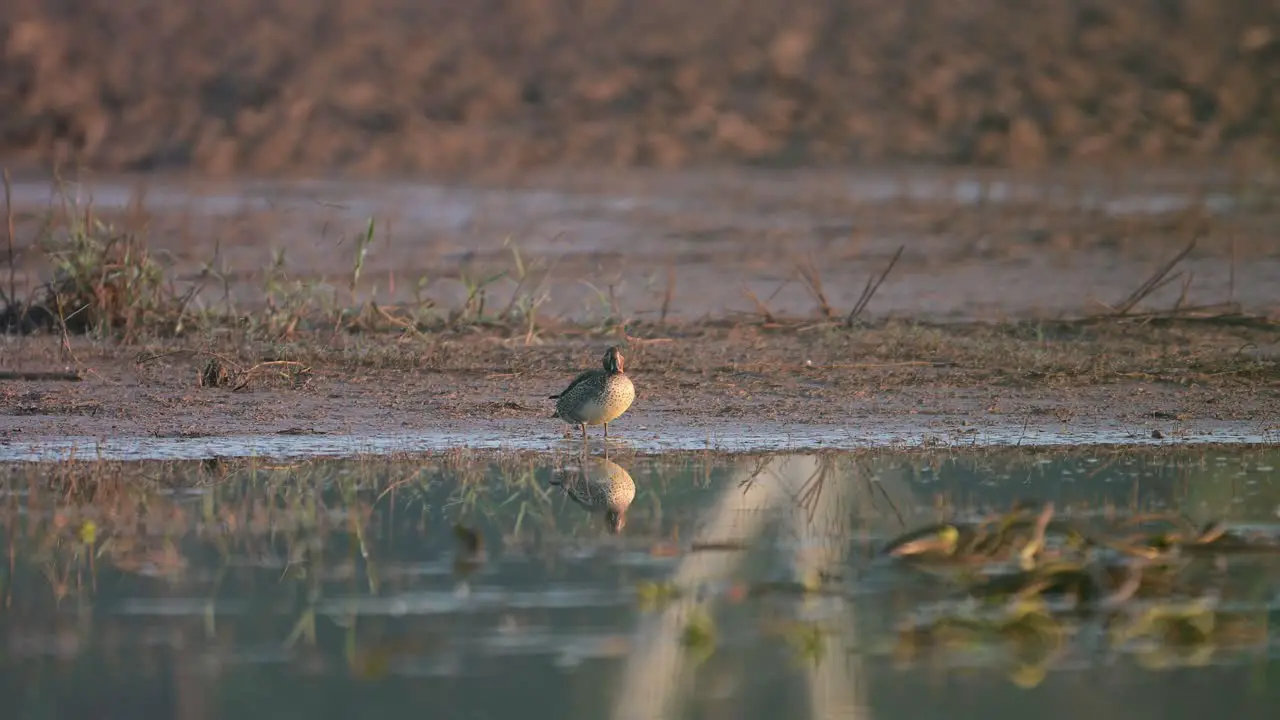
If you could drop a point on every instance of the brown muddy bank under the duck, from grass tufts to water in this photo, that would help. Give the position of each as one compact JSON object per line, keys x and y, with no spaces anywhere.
{"x":740,"y":390}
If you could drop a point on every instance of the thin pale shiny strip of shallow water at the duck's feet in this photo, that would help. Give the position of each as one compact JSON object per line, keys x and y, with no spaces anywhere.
{"x":762,"y":436}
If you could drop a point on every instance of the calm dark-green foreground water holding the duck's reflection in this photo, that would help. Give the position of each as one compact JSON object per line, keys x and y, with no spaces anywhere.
{"x":326,"y":589}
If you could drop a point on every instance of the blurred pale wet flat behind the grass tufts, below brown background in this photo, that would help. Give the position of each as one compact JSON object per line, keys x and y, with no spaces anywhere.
{"x":980,"y":245}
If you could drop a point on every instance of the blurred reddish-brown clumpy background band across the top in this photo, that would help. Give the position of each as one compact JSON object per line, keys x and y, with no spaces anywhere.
{"x":404,"y":86}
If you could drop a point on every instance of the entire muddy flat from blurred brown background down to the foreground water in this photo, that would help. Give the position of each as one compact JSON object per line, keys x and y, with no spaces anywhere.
{"x":999,"y":325}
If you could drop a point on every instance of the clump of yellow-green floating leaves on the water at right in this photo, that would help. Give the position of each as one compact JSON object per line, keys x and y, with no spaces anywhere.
{"x":1028,"y":582}
